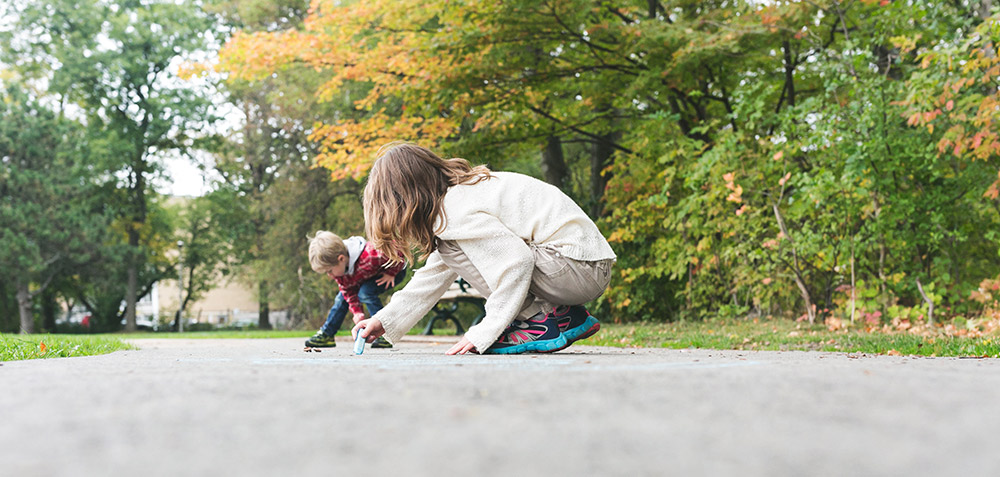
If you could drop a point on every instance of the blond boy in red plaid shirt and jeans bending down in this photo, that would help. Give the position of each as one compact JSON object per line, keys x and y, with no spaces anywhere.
{"x":362,"y":275}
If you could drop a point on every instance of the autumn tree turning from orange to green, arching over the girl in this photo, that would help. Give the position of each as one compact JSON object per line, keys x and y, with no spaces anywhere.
{"x":416,"y":78}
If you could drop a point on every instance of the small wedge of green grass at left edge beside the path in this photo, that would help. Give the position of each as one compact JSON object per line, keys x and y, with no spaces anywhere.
{"x":18,"y":347}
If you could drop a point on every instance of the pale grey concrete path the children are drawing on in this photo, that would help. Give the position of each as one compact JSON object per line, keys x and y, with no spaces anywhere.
{"x":265,"y":407}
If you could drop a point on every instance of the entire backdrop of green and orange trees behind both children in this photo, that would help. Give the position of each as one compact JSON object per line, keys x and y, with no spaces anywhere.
{"x":807,"y":160}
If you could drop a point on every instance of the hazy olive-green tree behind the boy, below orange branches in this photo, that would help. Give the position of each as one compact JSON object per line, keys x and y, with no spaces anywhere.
{"x":278,"y":196}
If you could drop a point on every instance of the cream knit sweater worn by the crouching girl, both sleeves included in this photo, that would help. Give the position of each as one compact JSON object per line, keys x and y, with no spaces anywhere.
{"x":493,"y":222}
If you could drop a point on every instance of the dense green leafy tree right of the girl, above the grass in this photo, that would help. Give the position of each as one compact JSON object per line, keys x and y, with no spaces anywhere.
{"x":812,"y":178}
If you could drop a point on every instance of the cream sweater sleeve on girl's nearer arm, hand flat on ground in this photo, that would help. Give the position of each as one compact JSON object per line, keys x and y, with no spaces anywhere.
{"x":509,"y":280}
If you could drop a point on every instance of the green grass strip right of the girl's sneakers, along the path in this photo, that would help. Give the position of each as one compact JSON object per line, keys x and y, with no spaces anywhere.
{"x":784,"y":335}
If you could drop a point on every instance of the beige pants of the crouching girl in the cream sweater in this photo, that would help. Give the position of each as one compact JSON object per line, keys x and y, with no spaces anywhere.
{"x":556,"y":280}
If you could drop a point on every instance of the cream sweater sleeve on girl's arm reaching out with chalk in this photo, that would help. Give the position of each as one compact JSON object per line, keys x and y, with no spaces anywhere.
{"x":410,"y":304}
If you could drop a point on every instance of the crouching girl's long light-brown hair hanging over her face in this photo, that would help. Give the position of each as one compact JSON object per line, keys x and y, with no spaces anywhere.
{"x":404,"y":196}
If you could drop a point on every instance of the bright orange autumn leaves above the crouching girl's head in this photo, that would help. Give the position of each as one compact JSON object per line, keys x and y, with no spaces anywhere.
{"x":382,"y":45}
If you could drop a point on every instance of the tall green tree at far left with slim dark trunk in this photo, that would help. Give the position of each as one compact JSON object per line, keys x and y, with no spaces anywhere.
{"x":115,"y":61}
